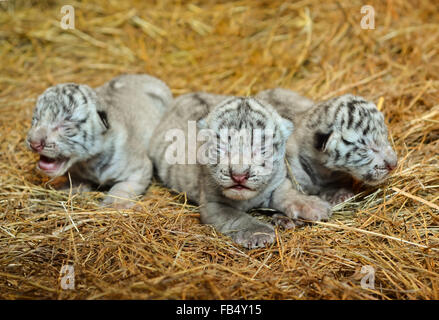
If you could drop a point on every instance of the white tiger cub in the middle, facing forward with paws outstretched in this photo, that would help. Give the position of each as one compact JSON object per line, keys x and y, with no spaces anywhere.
{"x":226,"y":190}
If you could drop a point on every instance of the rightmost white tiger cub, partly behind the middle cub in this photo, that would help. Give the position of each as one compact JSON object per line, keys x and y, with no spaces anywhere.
{"x":333,"y":141}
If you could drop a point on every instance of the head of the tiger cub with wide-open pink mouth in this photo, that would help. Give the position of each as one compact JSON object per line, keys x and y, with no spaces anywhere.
{"x":66,"y":127}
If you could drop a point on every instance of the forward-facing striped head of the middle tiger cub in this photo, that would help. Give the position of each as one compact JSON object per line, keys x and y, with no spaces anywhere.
{"x":246,"y":146}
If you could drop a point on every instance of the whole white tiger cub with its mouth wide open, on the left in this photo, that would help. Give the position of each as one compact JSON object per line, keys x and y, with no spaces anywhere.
{"x":100,"y":136}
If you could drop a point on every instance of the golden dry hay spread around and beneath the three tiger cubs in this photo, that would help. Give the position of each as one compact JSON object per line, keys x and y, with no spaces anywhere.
{"x":239,"y":47}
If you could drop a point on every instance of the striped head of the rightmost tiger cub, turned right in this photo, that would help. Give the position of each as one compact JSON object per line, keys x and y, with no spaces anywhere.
{"x":351,"y":136}
